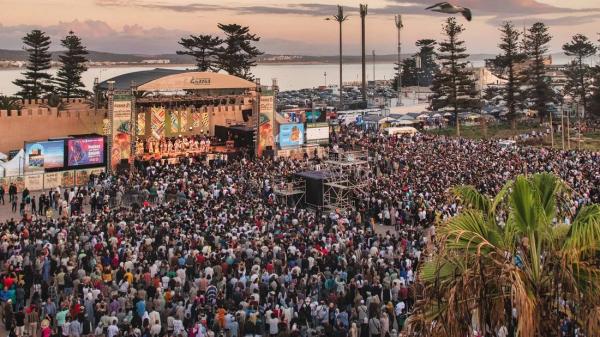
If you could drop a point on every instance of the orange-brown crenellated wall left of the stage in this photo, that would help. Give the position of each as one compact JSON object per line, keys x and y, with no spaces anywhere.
{"x":38,"y":122}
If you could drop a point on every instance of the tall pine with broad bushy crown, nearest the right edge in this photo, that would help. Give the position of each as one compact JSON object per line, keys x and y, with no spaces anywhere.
{"x":579,"y":74}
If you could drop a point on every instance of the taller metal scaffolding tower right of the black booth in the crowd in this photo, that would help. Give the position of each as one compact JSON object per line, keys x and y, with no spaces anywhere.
{"x":347,"y":173}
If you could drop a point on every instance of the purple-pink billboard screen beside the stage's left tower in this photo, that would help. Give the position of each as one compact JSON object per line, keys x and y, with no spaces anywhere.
{"x":85,"y":151}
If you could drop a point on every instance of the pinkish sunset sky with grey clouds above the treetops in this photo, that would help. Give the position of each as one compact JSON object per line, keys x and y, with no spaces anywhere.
{"x":285,"y":26}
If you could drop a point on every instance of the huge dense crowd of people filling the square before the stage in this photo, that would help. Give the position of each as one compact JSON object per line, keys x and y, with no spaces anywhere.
{"x":205,"y":248}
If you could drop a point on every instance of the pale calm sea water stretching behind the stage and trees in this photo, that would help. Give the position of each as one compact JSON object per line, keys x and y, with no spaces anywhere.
{"x":289,"y":76}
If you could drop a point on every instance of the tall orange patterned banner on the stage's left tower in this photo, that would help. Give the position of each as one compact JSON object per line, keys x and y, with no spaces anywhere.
{"x":121,"y":131}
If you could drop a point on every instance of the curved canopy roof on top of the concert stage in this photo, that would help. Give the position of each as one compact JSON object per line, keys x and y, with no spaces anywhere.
{"x":172,"y":80}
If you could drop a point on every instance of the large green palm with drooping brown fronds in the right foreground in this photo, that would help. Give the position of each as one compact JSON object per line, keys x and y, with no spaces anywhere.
{"x":513,"y":251}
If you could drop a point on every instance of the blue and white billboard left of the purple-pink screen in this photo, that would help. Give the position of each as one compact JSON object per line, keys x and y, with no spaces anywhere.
{"x":40,"y":156}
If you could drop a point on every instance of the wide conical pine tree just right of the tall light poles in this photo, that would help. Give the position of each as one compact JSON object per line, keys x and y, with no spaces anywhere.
{"x":453,"y":86}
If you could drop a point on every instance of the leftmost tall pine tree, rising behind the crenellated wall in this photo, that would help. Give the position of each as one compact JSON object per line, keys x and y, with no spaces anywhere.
{"x":36,"y":81}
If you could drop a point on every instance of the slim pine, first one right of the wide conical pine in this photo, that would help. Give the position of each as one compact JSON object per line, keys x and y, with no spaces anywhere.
{"x":505,"y":67}
